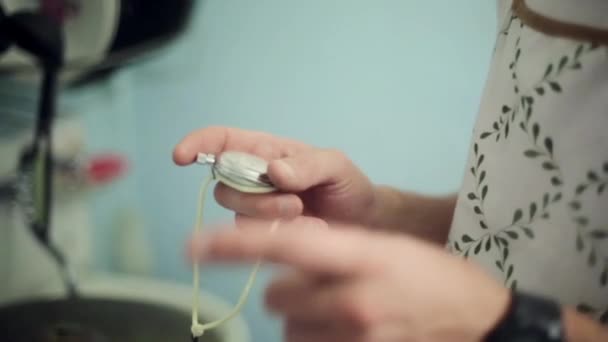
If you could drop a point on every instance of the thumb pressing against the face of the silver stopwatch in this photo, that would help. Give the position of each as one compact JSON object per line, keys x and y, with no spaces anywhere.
{"x":311,"y":168}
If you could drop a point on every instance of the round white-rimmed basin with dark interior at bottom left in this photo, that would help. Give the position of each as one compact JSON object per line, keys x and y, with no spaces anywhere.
{"x":118,"y":308}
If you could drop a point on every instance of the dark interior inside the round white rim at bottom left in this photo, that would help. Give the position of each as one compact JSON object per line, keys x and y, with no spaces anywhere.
{"x":95,"y":320}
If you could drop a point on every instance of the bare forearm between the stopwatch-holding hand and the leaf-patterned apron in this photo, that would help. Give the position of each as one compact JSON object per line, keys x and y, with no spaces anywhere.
{"x":423,"y":216}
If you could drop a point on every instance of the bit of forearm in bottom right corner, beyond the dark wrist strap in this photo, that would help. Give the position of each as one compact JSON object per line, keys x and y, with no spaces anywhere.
{"x":582,"y":329}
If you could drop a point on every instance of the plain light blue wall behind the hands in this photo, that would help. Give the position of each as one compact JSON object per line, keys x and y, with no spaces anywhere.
{"x":394,"y":84}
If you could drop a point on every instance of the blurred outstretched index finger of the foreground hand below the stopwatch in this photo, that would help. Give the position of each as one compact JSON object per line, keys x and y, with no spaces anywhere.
{"x":337,"y":252}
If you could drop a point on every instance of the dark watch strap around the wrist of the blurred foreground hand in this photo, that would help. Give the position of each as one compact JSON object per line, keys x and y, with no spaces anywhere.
{"x":529,"y":319}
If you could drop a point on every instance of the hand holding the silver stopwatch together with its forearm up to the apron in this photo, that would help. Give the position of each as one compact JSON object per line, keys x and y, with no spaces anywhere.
{"x":317,"y":184}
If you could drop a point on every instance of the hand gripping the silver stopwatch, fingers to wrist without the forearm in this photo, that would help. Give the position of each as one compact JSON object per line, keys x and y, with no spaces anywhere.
{"x":314,"y":183}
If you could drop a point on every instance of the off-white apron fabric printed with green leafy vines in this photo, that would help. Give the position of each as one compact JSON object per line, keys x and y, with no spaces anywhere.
{"x":533,"y":209}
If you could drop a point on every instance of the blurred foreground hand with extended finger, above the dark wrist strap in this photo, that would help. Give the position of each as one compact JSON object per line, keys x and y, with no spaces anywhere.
{"x":355,"y":285}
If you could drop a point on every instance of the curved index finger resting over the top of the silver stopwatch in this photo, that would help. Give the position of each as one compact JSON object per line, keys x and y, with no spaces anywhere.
{"x":217,"y":139}
